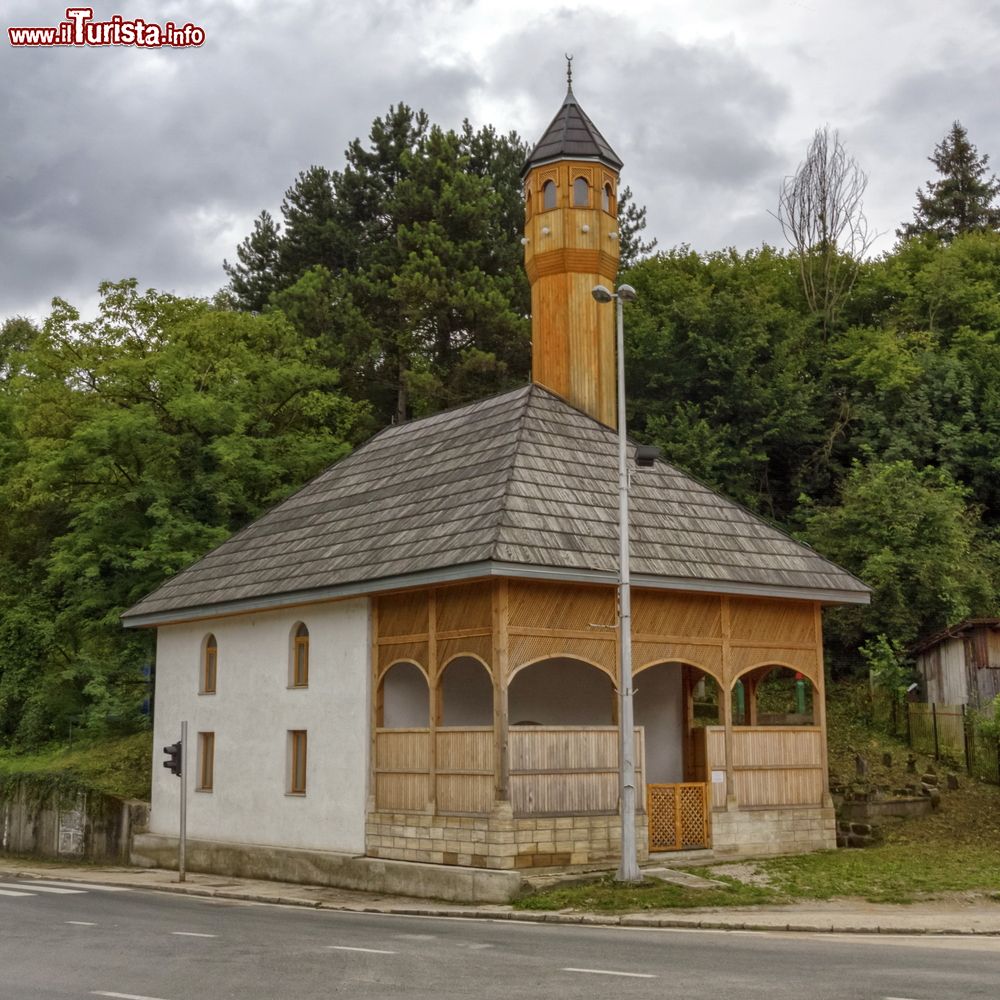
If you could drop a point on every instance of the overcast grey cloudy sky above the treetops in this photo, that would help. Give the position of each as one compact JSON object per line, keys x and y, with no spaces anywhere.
{"x":119,"y":162}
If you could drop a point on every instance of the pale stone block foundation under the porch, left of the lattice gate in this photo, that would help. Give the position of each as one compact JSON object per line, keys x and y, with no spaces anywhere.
{"x":499,"y":841}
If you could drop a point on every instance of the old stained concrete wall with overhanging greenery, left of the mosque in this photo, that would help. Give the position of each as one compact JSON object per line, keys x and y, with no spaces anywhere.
{"x":81,"y":825}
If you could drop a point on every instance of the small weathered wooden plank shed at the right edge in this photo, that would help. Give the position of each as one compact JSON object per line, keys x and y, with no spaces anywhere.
{"x":961,"y":665}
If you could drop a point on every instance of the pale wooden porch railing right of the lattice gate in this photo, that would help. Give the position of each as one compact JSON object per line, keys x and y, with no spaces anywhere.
{"x":772,"y":765}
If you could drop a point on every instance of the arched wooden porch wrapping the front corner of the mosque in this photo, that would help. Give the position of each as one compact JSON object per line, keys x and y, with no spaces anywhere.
{"x":548,"y":793}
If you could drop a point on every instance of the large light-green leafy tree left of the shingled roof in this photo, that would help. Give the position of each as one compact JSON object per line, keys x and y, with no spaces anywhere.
{"x":140,"y":440}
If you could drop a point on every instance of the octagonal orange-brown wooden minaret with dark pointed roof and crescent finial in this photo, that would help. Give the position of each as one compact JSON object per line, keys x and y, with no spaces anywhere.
{"x":571,"y":245}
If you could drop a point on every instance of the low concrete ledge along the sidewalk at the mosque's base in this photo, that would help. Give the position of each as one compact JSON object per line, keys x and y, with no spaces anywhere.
{"x":468,"y":885}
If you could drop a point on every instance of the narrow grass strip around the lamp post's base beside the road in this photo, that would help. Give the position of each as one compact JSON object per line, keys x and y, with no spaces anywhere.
{"x":607,"y":896}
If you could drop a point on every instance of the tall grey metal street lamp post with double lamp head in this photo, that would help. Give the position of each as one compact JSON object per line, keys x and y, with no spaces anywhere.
{"x":628,"y":869}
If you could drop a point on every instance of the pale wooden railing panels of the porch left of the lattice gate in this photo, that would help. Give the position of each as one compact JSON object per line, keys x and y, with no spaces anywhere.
{"x":554,"y":770}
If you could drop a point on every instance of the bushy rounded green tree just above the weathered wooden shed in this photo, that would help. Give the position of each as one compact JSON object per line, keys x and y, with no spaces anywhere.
{"x":913,"y":537}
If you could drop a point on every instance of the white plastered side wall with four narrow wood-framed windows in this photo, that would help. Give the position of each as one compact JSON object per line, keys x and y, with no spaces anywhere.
{"x":251,"y":714}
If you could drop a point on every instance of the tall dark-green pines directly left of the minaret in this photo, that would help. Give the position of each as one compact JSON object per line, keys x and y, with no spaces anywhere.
{"x":419,"y":240}
